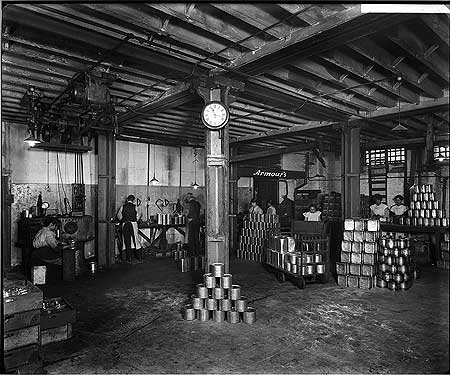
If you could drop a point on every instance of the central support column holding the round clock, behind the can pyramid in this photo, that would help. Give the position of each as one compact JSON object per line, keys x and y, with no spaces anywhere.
{"x":217,"y":189}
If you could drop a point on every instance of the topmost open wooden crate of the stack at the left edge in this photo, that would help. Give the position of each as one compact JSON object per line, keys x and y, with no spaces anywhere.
{"x":26,"y":302}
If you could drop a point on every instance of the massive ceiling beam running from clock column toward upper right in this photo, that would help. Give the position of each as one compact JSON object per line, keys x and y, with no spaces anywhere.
{"x":340,"y":28}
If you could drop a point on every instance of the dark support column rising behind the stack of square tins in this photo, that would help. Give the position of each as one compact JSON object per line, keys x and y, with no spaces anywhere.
{"x":351,"y":170}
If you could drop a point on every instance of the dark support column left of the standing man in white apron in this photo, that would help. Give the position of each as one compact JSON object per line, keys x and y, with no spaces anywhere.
{"x":106,"y":199}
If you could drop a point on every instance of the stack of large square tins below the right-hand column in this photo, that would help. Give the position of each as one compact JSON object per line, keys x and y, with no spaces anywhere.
{"x":358,"y":266}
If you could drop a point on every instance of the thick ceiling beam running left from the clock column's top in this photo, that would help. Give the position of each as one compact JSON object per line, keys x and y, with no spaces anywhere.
{"x":181,"y":94}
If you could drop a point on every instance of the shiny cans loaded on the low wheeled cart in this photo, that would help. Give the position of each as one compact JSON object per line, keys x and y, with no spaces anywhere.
{"x":295,"y":256}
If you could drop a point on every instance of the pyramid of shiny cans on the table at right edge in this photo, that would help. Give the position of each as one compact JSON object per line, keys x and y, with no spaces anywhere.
{"x":425,"y":209}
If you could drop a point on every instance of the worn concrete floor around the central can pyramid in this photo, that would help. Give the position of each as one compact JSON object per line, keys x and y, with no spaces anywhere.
{"x":130,"y":322}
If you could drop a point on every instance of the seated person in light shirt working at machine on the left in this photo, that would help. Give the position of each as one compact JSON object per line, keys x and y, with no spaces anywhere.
{"x":46,"y":251}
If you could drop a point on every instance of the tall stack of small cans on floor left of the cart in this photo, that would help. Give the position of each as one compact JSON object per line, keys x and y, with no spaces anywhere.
{"x":257,"y":231}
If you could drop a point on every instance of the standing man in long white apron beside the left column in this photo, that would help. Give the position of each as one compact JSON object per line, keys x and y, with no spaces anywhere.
{"x":129,"y":216}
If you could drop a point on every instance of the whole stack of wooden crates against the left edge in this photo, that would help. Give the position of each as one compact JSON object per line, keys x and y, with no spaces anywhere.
{"x":22,"y":305}
